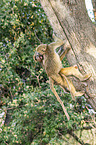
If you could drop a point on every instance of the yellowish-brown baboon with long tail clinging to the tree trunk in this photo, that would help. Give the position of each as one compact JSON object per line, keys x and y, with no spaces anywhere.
{"x":46,"y":54}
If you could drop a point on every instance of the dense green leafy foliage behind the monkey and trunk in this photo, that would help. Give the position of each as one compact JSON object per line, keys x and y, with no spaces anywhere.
{"x":30,"y":113}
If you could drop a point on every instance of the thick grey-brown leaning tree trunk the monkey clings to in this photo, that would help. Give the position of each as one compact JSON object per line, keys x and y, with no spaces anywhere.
{"x":70,"y":22}
